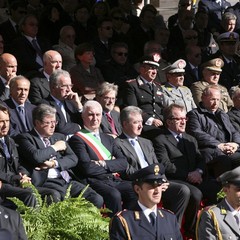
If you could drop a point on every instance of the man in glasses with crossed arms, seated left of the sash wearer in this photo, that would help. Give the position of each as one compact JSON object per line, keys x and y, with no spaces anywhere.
{"x":49,"y":159}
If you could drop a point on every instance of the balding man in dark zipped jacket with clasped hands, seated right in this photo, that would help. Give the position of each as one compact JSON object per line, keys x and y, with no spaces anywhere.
{"x":217,"y":138}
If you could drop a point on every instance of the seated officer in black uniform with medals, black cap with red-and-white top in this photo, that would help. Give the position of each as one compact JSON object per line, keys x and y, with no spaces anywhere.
{"x":144,"y":92}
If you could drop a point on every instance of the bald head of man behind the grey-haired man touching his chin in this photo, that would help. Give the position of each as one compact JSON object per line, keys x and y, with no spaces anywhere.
{"x":52,"y":60}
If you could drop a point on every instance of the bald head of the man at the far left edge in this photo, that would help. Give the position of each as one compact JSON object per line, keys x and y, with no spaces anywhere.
{"x":8,"y":66}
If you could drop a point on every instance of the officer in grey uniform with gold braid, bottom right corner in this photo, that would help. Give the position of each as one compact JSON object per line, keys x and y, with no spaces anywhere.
{"x":222,"y":221}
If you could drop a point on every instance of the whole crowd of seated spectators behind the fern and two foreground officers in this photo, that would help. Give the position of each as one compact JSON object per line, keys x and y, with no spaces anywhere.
{"x":79,"y":82}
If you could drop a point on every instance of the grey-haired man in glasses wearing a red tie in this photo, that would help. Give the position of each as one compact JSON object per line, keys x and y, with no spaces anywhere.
{"x":106,"y":96}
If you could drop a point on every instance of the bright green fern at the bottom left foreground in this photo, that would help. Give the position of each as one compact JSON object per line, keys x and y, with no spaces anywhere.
{"x":71,"y":219}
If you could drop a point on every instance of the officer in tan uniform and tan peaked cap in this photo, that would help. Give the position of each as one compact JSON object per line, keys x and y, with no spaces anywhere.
{"x":211,"y":71}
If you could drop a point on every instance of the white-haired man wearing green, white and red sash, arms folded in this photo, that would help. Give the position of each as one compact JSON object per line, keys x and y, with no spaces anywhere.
{"x":100,"y":161}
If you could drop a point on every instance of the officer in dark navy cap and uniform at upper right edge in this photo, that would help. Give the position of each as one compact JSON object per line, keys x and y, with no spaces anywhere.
{"x":227,"y":43}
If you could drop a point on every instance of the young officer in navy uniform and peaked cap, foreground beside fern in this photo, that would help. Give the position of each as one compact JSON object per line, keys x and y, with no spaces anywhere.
{"x":145,"y":220}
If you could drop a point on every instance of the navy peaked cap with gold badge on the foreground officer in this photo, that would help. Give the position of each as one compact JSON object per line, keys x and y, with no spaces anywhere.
{"x":153,"y":174}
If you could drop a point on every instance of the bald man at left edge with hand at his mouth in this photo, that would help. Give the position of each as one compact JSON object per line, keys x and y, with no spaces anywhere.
{"x":8,"y":70}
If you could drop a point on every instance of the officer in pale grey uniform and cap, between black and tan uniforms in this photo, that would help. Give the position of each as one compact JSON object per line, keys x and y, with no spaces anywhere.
{"x":173,"y":90}
